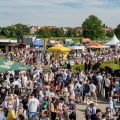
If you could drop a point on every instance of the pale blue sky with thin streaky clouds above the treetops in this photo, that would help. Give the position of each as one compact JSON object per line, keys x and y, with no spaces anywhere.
{"x":58,"y":12}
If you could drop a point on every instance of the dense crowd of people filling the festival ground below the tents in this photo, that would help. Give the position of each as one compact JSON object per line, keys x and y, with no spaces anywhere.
{"x":52,"y":90}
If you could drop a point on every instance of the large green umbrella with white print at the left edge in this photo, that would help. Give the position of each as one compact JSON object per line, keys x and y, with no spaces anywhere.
{"x":7,"y":65}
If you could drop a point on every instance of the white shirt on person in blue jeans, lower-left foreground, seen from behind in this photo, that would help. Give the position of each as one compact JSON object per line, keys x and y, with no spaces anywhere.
{"x":33,"y":103}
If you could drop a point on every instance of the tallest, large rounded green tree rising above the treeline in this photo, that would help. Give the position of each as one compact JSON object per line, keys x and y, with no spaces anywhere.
{"x":92,"y":27}
